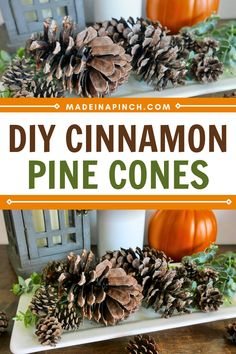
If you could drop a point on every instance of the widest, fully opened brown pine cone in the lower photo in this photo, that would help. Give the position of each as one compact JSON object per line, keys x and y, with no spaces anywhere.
{"x":107,"y":295}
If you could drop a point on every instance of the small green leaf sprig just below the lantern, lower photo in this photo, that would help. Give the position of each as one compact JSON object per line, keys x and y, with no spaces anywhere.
{"x":26,"y":286}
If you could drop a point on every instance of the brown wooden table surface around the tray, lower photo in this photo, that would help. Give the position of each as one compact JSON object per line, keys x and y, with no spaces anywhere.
{"x":205,"y":338}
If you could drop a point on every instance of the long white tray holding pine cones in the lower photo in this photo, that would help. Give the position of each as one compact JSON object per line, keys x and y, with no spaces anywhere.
{"x":24,"y":341}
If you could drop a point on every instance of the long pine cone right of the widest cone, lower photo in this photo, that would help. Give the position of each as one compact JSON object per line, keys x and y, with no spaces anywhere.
{"x":163,"y":289}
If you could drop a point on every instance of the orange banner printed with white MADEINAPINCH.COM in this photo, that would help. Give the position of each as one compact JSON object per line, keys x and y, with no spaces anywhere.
{"x":108,"y":105}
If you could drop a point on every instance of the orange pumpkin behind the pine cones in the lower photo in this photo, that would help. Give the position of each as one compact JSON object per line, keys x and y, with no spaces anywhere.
{"x":181,"y":233}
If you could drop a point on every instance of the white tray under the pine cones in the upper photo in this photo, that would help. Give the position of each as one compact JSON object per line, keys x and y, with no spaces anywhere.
{"x":137,"y":89}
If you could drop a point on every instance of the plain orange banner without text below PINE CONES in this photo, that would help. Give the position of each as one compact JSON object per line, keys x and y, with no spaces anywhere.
{"x":107,"y":202}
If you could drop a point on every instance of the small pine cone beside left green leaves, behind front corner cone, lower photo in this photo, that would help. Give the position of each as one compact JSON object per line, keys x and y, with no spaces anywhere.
{"x":44,"y":301}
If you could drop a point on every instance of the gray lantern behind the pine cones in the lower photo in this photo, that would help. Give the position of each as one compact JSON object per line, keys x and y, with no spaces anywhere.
{"x":38,"y":236}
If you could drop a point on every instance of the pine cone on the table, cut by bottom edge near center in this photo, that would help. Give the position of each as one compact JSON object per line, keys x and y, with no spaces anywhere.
{"x":143,"y":344}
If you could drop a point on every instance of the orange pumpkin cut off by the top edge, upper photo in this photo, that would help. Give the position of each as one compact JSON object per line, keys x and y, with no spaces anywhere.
{"x":175,"y":14}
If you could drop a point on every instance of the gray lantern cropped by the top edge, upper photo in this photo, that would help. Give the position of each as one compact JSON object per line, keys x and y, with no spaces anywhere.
{"x":22,"y":17}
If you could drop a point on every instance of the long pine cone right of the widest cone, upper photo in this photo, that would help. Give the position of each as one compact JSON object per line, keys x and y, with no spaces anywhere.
{"x":156,"y":58}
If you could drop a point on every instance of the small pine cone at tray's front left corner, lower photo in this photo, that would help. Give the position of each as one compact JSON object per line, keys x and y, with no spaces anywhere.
{"x":48,"y":331}
